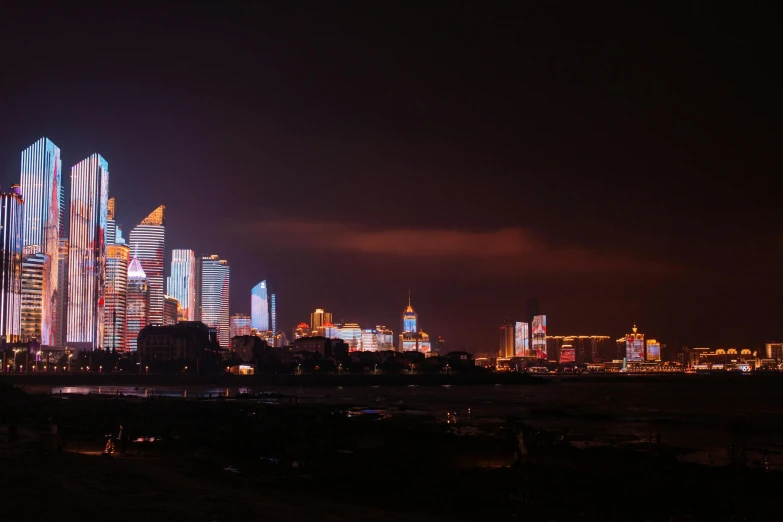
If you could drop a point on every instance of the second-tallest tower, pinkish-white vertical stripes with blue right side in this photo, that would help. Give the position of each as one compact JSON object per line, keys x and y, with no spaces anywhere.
{"x":87,"y":256}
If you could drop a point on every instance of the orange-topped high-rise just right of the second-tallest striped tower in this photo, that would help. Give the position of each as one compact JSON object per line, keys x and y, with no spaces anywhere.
{"x":115,"y":316}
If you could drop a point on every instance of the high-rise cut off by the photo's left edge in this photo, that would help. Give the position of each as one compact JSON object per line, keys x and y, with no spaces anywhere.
{"x":11,"y":240}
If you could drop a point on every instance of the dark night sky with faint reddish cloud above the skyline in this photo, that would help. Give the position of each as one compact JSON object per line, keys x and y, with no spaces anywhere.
{"x":620,"y":166}
